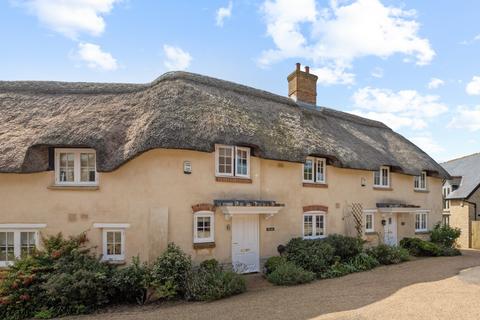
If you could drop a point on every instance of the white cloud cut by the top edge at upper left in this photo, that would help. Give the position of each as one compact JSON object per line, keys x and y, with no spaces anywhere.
{"x":71,"y":17}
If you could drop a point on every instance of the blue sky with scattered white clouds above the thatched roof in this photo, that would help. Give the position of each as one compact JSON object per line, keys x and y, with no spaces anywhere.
{"x":411,"y":64}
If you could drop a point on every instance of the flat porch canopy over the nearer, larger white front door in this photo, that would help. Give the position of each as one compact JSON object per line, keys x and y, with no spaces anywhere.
{"x":232,"y":207}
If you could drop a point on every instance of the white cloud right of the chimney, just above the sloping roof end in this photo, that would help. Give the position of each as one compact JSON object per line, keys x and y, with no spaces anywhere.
{"x":404,"y":108}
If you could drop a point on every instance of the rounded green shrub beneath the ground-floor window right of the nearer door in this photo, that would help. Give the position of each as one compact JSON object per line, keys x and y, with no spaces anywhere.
{"x":312,"y":255}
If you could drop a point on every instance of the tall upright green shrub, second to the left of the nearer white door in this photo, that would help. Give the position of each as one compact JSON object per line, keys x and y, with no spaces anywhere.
{"x":169,"y":272}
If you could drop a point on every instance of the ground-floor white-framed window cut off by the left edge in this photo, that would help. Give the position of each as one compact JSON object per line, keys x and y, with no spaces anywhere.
{"x":16,"y":243}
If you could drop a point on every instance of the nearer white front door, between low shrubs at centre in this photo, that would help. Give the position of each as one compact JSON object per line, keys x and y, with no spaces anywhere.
{"x":245,"y":240}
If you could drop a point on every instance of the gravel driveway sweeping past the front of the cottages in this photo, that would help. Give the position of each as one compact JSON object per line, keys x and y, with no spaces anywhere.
{"x":431,"y":288}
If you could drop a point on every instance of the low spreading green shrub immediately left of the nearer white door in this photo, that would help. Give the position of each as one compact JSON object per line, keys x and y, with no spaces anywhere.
{"x":211,"y":282}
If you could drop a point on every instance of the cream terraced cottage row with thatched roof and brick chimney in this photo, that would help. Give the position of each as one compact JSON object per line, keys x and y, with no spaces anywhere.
{"x":223,"y":170}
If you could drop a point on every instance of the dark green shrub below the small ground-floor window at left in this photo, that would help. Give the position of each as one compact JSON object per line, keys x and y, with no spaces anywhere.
{"x":132,"y":283}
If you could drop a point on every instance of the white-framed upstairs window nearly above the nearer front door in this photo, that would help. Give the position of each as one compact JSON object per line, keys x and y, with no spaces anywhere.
{"x":232,"y":161}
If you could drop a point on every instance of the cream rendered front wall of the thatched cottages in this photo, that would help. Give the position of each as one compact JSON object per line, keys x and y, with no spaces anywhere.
{"x":151,"y":191}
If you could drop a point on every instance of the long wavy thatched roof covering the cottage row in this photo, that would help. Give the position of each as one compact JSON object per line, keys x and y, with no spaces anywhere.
{"x":181,"y":110}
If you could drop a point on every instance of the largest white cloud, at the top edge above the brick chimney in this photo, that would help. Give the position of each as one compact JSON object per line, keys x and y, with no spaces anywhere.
{"x":341,"y":33}
